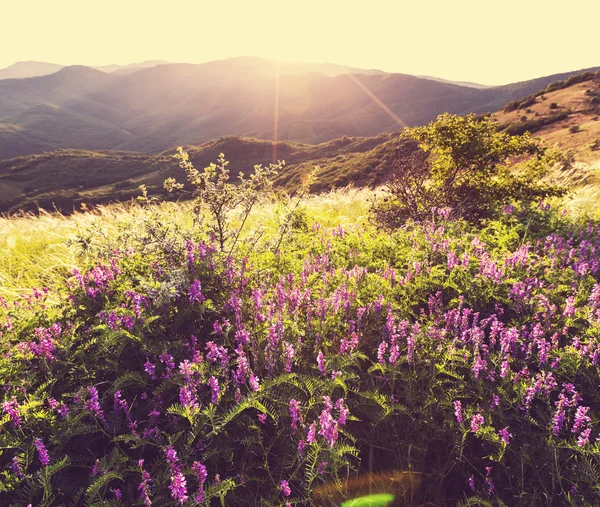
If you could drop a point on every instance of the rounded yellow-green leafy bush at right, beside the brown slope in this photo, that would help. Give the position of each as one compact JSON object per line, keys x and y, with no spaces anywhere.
{"x":466,"y":164}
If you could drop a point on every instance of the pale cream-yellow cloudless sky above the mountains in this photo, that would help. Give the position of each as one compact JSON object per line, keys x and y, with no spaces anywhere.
{"x":486,"y":41}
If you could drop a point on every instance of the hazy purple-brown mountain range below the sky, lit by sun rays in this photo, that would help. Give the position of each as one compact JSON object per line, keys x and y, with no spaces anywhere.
{"x":153,"y":109}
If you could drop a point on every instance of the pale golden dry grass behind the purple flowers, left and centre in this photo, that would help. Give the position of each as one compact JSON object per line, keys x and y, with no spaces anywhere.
{"x":41,"y":250}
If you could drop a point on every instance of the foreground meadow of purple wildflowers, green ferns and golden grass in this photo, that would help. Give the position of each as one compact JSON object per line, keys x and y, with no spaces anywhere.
{"x":310,"y":357}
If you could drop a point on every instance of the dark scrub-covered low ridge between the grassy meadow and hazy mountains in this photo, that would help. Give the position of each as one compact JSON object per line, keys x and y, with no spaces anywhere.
{"x":65,"y":178}
